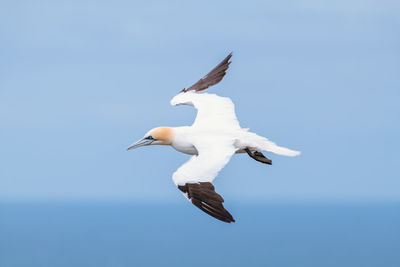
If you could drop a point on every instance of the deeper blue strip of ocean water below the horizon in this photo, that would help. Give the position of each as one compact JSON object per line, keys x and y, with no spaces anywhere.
{"x":128,"y":234}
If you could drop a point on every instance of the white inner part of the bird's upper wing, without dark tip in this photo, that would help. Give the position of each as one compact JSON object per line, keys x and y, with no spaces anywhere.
{"x":214,"y":112}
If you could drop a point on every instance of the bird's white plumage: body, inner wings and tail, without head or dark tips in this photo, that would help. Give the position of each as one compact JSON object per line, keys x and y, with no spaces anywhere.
{"x":215,"y":132}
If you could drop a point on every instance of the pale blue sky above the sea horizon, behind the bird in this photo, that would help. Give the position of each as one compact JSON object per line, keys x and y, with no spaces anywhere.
{"x":81,"y":80}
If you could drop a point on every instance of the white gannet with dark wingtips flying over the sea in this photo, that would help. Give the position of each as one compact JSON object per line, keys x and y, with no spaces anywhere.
{"x":213,"y":138}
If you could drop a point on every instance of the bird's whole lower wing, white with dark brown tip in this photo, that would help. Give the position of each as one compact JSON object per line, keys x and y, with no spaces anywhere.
{"x":195,"y":176}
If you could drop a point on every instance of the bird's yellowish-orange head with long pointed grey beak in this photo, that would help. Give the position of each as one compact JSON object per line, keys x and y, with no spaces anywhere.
{"x":156,"y":136}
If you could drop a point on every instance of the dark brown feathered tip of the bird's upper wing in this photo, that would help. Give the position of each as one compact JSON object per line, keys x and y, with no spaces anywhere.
{"x":212,"y":78}
